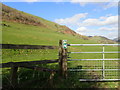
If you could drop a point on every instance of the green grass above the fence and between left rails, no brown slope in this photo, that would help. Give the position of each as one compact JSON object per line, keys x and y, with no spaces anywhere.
{"x":16,"y":33}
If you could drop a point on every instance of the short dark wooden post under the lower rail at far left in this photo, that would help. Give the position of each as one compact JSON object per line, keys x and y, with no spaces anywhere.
{"x":14,"y":76}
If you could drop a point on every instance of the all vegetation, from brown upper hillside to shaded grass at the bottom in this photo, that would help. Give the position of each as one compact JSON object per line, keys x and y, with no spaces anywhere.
{"x":21,"y":28}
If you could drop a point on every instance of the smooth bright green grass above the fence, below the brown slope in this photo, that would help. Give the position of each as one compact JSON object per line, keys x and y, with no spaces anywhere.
{"x":35,"y":35}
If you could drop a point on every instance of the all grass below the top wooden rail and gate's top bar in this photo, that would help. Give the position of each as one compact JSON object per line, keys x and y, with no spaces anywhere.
{"x":73,"y":77}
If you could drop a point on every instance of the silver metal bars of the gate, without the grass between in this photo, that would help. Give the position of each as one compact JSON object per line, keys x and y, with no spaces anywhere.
{"x":103,"y":66}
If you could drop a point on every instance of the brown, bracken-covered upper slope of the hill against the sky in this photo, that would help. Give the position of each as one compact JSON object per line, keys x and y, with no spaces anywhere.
{"x":11,"y":14}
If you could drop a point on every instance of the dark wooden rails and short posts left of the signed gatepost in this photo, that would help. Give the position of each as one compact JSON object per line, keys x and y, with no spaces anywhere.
{"x":27,"y":64}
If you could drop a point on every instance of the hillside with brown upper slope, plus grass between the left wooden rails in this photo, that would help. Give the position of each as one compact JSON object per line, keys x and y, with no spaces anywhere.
{"x":27,"y":30}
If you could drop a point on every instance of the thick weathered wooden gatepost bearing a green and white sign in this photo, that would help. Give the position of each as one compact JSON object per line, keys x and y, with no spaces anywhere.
{"x":63,"y":58}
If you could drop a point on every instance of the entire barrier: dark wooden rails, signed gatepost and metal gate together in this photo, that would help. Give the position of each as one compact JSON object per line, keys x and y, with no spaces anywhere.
{"x":62,"y":61}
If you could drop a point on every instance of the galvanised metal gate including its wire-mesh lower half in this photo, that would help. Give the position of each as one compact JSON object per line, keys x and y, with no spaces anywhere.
{"x":108,"y":70}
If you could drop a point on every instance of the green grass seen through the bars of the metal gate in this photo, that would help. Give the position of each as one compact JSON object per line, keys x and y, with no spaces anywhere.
{"x":95,"y":64}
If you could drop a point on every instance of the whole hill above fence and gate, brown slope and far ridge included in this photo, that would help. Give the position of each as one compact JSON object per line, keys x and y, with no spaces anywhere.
{"x":23,"y":28}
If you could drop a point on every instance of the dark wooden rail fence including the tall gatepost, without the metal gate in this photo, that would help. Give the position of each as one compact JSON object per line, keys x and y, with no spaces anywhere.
{"x":32,"y":64}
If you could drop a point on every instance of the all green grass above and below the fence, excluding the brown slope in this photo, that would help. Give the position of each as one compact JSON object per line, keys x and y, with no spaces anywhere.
{"x":36,"y":35}
